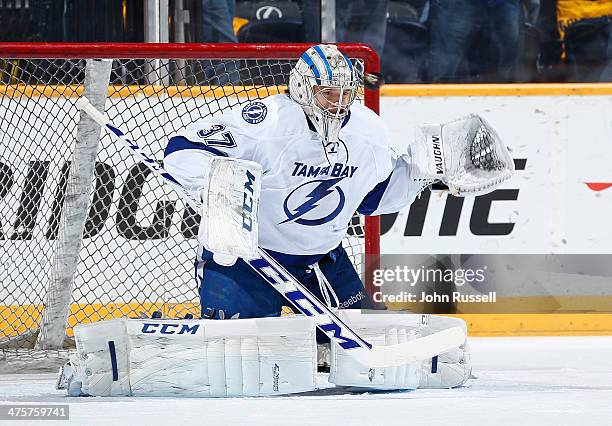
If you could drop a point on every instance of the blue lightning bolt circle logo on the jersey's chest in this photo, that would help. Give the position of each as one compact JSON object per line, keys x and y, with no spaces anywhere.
{"x":322,"y":190}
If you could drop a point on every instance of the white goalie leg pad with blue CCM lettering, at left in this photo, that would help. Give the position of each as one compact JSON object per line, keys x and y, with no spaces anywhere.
{"x":197,"y":358}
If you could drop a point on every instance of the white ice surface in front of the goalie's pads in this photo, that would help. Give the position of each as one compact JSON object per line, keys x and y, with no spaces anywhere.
{"x":527,"y":380}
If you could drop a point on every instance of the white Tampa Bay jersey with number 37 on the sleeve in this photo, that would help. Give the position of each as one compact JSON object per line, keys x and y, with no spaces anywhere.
{"x":309,"y":191}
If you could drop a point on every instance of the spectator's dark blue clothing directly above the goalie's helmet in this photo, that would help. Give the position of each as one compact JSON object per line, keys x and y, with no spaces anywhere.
{"x":362,"y":21}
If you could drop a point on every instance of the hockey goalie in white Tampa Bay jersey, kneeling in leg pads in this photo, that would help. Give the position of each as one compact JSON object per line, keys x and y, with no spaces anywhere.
{"x":286,"y":174}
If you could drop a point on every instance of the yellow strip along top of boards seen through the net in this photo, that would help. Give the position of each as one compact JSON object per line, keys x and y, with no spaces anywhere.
{"x":216,"y":92}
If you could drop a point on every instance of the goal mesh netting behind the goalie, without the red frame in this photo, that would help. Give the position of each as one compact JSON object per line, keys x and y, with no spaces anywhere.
{"x":138,"y":245}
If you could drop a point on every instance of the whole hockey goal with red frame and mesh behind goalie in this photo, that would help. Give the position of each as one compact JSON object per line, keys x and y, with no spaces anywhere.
{"x":86,"y":233}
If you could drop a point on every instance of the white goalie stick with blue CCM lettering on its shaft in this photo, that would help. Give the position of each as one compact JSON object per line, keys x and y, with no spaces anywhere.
{"x":296,"y":293}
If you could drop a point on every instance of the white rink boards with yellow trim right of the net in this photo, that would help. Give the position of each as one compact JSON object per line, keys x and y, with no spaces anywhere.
{"x":551,"y":218}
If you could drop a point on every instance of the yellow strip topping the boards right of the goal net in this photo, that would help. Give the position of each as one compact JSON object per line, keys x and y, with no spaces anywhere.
{"x":530,"y":89}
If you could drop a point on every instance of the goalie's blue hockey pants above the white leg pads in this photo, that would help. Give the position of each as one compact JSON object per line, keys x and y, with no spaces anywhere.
{"x":238,"y":289}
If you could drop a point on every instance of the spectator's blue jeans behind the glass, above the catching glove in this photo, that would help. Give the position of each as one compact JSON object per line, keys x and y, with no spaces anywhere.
{"x":480,"y":35}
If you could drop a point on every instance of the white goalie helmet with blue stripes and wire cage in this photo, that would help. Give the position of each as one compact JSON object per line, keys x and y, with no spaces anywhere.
{"x":325,"y":83}
